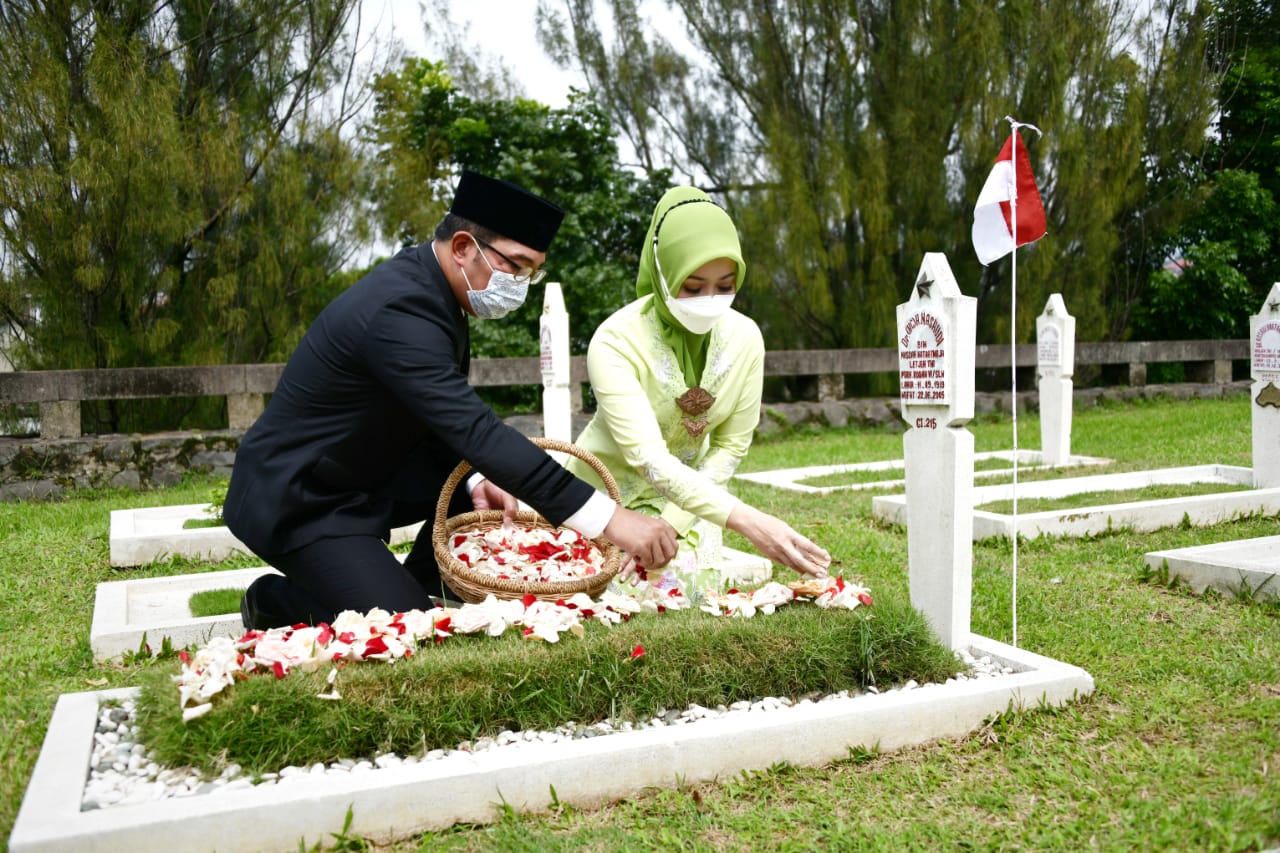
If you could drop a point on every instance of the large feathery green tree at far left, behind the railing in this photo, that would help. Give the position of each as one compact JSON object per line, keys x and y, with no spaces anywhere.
{"x":175,"y":184}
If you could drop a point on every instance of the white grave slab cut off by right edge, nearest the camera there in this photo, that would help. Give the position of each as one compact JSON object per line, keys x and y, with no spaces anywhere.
{"x":1227,"y":567}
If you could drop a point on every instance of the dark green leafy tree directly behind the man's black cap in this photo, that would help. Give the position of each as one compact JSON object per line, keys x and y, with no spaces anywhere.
{"x":427,"y":130}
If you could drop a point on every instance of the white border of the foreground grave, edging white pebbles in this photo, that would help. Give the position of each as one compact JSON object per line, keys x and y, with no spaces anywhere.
{"x":400,"y":802}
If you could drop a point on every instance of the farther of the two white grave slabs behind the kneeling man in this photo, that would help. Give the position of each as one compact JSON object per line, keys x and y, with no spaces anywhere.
{"x":139,"y":537}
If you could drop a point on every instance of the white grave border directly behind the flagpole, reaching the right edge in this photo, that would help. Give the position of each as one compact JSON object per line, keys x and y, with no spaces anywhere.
{"x":1137,"y":516}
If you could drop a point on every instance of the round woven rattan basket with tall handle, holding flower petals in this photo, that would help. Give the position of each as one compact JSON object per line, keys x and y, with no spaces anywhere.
{"x":474,"y":586}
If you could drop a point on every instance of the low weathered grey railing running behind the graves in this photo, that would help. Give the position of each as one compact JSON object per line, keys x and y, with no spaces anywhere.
{"x":61,"y":393}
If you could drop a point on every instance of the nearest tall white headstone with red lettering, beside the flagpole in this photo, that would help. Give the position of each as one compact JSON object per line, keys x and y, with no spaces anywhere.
{"x":938,"y":343}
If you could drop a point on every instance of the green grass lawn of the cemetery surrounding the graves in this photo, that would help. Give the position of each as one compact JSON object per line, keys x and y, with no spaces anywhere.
{"x":1178,"y":749}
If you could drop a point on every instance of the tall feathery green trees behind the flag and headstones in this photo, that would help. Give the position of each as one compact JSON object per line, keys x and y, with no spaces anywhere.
{"x":849,"y":139}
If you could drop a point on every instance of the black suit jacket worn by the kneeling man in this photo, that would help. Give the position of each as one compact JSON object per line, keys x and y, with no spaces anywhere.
{"x":372,"y":414}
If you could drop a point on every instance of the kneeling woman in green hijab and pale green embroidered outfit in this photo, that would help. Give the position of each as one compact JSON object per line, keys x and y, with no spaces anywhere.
{"x":678,"y":377}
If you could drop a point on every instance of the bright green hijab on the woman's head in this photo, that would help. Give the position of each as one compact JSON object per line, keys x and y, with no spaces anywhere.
{"x":693,"y":231}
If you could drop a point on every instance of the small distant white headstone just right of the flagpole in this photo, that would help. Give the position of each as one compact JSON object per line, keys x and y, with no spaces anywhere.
{"x":1055,"y":348}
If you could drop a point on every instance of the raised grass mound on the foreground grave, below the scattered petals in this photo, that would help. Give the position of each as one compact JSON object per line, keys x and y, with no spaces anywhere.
{"x":470,"y":687}
